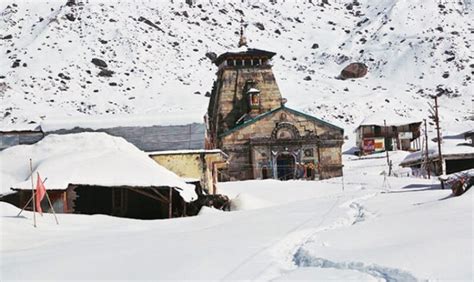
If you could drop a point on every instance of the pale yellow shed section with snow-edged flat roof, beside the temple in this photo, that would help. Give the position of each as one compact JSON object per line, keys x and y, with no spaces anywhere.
{"x":202,"y":165}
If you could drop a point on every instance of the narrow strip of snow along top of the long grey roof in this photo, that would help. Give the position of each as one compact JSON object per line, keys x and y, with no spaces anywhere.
{"x":163,"y":119}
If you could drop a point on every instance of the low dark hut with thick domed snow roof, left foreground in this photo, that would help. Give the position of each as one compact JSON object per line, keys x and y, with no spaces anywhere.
{"x":95,"y":173}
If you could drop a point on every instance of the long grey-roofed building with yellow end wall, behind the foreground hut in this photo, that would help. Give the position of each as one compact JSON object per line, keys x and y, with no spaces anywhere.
{"x":175,"y":135}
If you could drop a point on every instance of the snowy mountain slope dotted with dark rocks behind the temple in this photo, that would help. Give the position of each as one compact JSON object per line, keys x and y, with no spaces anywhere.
{"x":157,"y":53}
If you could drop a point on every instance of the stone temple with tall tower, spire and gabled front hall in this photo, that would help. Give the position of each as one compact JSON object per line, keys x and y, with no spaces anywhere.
{"x":248,"y":120}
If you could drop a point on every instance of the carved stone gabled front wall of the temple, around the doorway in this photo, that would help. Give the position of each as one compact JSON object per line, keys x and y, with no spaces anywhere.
{"x":254,"y":148}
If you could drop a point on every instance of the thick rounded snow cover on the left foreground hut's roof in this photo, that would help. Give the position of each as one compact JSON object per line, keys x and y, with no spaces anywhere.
{"x":86,"y":159}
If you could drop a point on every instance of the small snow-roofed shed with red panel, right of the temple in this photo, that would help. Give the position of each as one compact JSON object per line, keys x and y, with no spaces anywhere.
{"x":383,"y":131}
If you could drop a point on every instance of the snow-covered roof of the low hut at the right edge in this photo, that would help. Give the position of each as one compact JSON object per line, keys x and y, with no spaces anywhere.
{"x":450,"y":148}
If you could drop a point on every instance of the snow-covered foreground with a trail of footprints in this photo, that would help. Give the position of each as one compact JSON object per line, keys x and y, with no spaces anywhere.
{"x":401,"y":229}
